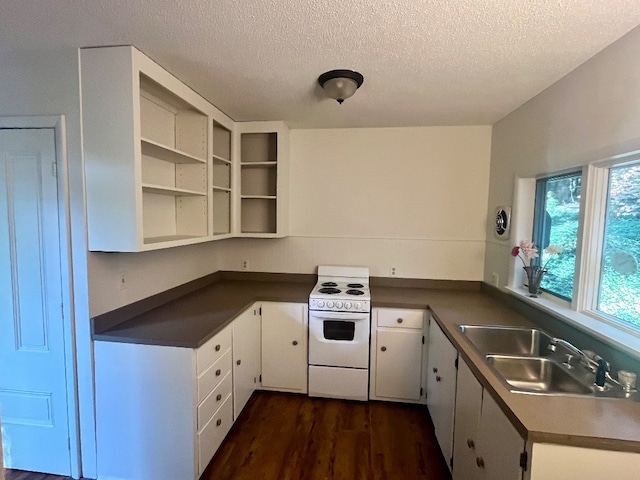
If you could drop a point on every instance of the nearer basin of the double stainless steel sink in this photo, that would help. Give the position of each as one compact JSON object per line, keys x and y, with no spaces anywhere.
{"x":538,"y":375}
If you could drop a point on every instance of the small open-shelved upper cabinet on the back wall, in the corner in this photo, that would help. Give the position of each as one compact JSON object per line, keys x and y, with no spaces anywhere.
{"x":263,"y":179}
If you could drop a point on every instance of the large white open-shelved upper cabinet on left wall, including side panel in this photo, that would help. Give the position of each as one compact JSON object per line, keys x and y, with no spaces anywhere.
{"x":157,"y":155}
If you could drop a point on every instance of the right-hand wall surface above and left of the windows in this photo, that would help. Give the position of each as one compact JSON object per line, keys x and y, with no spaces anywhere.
{"x":591,"y":114}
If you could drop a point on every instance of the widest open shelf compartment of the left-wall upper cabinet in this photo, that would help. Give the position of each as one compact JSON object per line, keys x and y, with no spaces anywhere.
{"x":174,"y":144}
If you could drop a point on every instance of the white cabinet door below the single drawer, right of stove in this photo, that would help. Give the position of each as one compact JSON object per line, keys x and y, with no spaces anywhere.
{"x":398,"y":363}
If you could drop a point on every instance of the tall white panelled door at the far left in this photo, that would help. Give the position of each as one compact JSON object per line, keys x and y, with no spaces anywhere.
{"x":33,"y":401}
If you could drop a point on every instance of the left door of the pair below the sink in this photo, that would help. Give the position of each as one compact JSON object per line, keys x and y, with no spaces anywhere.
{"x":468,"y":409}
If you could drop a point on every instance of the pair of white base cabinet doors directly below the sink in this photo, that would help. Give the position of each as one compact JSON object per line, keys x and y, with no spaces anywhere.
{"x":486,"y":445}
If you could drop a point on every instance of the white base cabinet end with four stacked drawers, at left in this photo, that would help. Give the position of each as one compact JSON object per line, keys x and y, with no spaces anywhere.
{"x":161,"y":412}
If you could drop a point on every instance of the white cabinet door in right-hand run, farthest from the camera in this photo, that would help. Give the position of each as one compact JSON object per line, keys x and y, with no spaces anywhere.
{"x":441,"y":387}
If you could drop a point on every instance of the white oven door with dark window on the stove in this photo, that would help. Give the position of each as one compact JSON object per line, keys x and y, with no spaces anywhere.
{"x":339,"y":339}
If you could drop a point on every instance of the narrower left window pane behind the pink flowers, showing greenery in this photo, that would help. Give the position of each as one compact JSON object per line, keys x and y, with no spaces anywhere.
{"x":557,"y":208}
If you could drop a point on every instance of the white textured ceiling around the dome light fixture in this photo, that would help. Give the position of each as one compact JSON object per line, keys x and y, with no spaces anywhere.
{"x":425,"y":62}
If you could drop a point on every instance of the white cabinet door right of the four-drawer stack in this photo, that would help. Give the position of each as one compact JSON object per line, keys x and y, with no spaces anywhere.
{"x":246,"y":357}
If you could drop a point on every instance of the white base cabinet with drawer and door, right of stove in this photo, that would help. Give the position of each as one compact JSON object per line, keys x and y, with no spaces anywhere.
{"x":398,"y":355}
